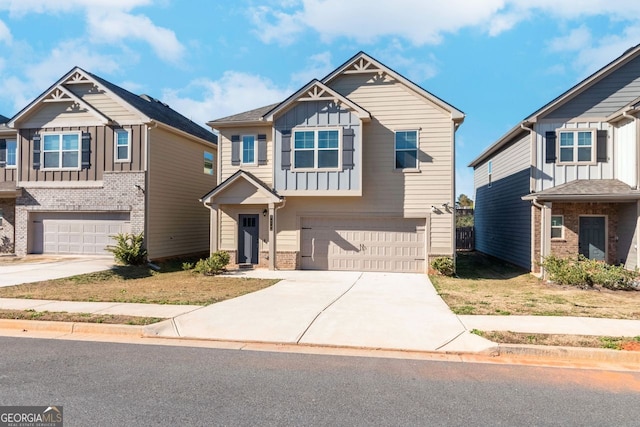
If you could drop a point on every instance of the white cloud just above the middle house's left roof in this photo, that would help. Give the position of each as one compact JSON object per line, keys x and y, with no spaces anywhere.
{"x":233,"y":93}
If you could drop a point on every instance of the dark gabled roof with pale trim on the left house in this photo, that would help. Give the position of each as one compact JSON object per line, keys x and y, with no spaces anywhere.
{"x":148,"y":108}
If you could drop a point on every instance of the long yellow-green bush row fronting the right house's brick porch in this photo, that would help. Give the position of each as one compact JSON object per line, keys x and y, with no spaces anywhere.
{"x":586,"y":273}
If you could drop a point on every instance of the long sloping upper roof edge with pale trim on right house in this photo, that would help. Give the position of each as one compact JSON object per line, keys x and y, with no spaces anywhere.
{"x":627,"y":56}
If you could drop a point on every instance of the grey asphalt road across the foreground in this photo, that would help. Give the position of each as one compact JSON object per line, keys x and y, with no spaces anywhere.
{"x":106,"y":384}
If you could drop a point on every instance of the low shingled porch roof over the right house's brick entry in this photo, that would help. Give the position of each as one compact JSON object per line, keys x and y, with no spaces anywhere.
{"x":587,"y":190}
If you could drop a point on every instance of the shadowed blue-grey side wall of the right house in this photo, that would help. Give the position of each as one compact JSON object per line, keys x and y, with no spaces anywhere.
{"x":502,"y":219}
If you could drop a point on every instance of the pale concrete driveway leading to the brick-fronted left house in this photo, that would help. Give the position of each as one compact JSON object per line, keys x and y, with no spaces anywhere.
{"x":37,"y":269}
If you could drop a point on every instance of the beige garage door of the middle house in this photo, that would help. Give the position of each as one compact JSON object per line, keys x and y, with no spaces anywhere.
{"x":365,"y":244}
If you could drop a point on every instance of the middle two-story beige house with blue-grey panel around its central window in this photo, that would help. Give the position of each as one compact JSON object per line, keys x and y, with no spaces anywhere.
{"x":351,"y":172}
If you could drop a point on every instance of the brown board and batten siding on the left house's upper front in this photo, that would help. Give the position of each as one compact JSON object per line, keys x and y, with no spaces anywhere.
{"x":102,"y":158}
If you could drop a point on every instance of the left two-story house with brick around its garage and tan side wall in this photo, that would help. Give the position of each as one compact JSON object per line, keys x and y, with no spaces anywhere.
{"x":90,"y":159}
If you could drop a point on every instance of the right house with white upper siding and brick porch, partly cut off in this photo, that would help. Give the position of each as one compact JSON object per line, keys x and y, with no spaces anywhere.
{"x":565,"y":180}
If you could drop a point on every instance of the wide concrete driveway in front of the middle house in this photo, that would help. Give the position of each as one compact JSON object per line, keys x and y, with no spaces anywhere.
{"x":372,"y":310}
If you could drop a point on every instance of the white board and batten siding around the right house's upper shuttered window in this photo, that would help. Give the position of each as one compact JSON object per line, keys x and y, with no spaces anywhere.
{"x":549,"y":175}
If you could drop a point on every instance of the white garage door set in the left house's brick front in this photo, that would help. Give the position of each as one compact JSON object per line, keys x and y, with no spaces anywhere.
{"x":77,"y":233}
